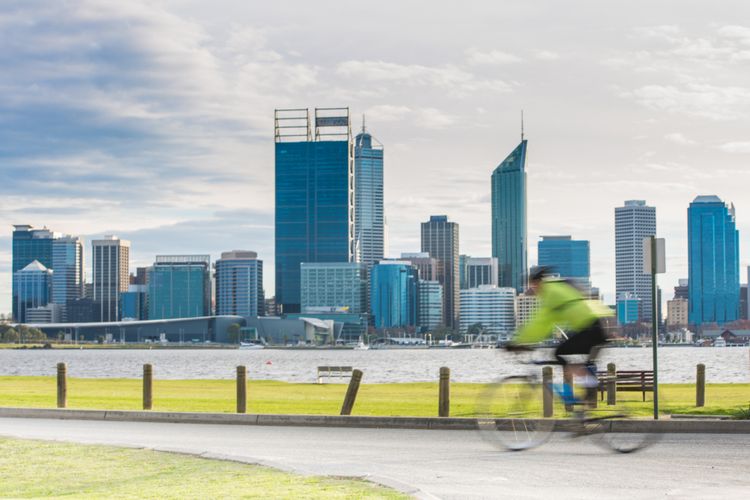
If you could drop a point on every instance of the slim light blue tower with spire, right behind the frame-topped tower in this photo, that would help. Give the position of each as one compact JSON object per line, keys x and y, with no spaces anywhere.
{"x":368,"y":200}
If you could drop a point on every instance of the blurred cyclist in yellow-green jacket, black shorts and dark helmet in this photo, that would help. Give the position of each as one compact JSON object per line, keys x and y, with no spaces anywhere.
{"x":561,"y":303}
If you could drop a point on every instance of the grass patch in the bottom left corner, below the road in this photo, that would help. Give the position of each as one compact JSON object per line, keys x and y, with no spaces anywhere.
{"x":33,"y":469}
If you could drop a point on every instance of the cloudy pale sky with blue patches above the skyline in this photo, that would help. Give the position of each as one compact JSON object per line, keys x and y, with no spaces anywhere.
{"x":154,"y":120}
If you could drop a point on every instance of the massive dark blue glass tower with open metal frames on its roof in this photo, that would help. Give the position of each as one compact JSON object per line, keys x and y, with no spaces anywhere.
{"x":314,"y":195}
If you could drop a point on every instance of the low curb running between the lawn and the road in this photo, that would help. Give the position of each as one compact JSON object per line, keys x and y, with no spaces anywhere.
{"x":420,"y":423}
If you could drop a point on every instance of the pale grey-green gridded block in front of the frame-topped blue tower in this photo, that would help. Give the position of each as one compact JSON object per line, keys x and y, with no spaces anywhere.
{"x":335,"y":286}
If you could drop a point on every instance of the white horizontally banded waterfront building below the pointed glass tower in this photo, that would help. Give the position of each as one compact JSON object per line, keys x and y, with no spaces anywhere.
{"x":491,"y":307}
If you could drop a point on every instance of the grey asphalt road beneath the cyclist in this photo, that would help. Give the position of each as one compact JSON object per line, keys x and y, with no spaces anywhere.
{"x":443,"y":464}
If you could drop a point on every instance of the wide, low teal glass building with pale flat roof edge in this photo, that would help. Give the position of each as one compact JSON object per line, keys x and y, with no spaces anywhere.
{"x":179,"y":286}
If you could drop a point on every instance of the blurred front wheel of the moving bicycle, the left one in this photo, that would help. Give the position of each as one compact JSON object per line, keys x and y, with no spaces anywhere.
{"x":510,"y":414}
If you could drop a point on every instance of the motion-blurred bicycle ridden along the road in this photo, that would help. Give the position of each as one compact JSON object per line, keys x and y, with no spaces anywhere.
{"x":514,"y":413}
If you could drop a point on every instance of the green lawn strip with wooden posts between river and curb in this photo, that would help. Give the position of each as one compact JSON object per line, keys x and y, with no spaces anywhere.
{"x":414,"y":399}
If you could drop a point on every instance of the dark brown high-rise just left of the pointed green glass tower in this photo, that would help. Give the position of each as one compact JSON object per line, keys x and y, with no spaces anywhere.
{"x":440,"y":240}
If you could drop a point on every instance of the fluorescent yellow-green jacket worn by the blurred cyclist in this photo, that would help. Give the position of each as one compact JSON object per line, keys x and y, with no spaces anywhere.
{"x":561,"y":304}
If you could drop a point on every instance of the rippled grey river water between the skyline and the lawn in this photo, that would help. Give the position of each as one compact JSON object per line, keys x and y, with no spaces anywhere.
{"x":676,"y":364}
